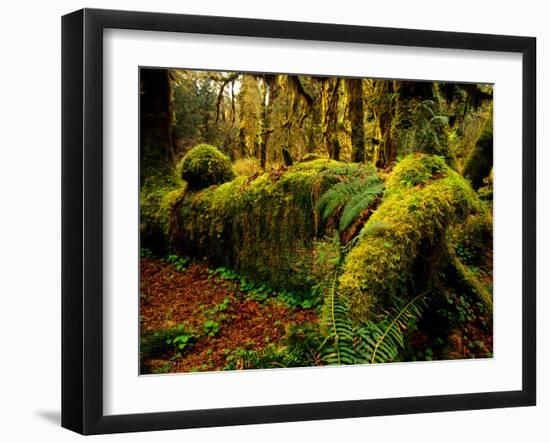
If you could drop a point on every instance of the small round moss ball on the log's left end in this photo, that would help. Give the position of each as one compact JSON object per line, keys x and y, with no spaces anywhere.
{"x":204,"y":165}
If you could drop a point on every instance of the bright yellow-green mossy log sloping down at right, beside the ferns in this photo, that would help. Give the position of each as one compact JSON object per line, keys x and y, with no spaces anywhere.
{"x":423,"y":198}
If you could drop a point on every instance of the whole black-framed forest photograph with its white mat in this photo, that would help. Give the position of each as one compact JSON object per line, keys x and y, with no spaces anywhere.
{"x":269,"y":221}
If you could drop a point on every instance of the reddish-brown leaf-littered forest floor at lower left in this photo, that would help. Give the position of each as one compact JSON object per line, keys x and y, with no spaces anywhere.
{"x":220,"y":319}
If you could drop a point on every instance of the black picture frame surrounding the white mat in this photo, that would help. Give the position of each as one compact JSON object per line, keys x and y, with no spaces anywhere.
{"x":82,"y":220}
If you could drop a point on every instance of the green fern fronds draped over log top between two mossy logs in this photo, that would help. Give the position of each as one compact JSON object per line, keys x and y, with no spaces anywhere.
{"x":354,"y":196}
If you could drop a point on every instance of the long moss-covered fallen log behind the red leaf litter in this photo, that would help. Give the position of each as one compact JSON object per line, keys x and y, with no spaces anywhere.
{"x":262,"y":226}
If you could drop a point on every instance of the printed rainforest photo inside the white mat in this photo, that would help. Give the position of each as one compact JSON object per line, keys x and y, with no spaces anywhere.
{"x":300,"y":220}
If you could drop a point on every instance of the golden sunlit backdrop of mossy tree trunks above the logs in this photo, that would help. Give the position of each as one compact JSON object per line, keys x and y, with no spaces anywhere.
{"x":278,"y":119}
